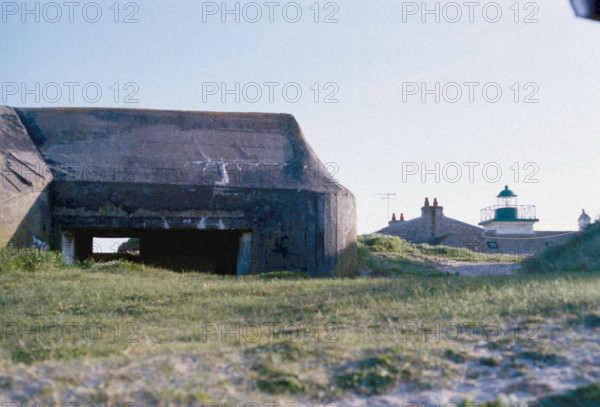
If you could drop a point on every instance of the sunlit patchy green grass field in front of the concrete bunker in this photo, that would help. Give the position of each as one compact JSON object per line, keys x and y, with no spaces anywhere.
{"x":153,"y":336}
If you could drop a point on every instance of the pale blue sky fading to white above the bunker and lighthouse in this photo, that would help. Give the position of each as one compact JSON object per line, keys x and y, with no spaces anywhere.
{"x":446,"y":100}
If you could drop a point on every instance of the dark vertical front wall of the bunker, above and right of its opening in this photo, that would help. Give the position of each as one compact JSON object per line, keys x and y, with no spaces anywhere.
{"x":291,"y":229}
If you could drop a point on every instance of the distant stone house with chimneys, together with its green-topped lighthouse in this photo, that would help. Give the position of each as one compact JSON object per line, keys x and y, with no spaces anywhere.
{"x":506,"y":228}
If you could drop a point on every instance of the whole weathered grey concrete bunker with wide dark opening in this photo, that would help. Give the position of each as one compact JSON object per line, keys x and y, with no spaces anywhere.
{"x":229,"y":193}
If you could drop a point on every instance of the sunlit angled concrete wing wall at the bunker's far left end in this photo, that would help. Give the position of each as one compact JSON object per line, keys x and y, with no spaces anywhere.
{"x":24,"y":180}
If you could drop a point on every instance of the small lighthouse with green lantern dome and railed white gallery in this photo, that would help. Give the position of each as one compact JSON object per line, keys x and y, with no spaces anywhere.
{"x":508,"y":218}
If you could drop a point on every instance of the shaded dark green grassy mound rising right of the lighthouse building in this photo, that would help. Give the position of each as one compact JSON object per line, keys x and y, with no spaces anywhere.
{"x":580,"y":253}
